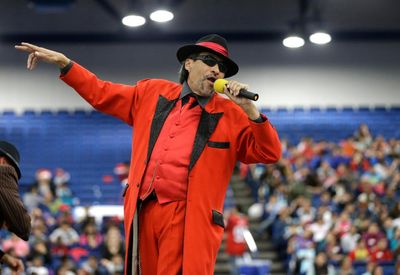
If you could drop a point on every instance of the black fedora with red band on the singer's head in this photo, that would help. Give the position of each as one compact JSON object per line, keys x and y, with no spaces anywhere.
{"x":213,"y":43}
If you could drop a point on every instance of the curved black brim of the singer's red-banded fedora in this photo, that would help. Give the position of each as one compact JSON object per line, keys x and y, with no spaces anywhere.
{"x":185,"y":51}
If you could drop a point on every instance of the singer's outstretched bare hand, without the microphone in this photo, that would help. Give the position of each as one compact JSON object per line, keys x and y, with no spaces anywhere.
{"x":37,"y":54}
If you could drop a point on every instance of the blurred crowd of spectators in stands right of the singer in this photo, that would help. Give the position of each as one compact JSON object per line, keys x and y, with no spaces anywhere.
{"x":332,"y":206}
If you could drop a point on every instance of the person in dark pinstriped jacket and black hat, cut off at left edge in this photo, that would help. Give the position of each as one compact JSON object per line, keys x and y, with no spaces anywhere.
{"x":13,"y":214}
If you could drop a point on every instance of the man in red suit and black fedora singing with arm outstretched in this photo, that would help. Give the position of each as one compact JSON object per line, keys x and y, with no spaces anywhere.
{"x":185,"y":145}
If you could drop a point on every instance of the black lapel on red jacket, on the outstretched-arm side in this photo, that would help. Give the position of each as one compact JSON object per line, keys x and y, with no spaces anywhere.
{"x":164,"y":107}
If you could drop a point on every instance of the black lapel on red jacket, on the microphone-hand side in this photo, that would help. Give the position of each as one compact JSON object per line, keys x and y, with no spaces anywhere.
{"x":207,"y":125}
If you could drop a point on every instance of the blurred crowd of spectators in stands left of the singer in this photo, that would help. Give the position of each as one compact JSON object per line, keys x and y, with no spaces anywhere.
{"x":61,"y":243}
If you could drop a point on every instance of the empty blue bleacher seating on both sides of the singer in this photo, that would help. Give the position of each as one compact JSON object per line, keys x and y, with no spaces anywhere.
{"x":88,"y":144}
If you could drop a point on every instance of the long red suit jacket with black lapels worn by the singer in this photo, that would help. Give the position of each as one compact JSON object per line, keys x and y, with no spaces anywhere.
{"x":225,"y":135}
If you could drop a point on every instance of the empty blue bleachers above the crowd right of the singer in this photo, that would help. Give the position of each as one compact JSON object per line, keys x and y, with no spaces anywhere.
{"x":333,"y":124}
